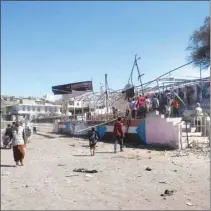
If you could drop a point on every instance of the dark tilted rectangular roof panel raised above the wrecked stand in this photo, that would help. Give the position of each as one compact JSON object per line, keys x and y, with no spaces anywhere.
{"x":85,"y":86}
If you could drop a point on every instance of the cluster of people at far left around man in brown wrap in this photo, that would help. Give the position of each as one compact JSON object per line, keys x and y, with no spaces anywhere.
{"x":17,"y":135}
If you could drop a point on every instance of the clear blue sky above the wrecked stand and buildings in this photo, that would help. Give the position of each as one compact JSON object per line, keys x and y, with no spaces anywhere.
{"x":51,"y":43}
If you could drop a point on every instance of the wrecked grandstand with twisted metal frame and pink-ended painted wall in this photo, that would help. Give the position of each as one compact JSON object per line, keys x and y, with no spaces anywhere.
{"x":154,"y":129}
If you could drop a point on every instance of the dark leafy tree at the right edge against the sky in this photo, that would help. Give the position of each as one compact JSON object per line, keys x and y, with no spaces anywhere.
{"x":199,"y":45}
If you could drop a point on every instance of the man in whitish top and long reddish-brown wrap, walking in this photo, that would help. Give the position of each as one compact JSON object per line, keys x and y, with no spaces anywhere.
{"x":18,"y":143}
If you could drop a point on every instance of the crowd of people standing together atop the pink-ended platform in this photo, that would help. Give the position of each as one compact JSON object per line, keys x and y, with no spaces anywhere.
{"x":166,"y":104}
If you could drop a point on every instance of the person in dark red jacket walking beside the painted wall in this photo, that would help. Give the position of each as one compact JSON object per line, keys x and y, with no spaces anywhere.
{"x":119,"y":134}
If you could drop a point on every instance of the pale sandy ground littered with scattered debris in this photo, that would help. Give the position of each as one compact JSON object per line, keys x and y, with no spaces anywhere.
{"x":47,"y":181}
